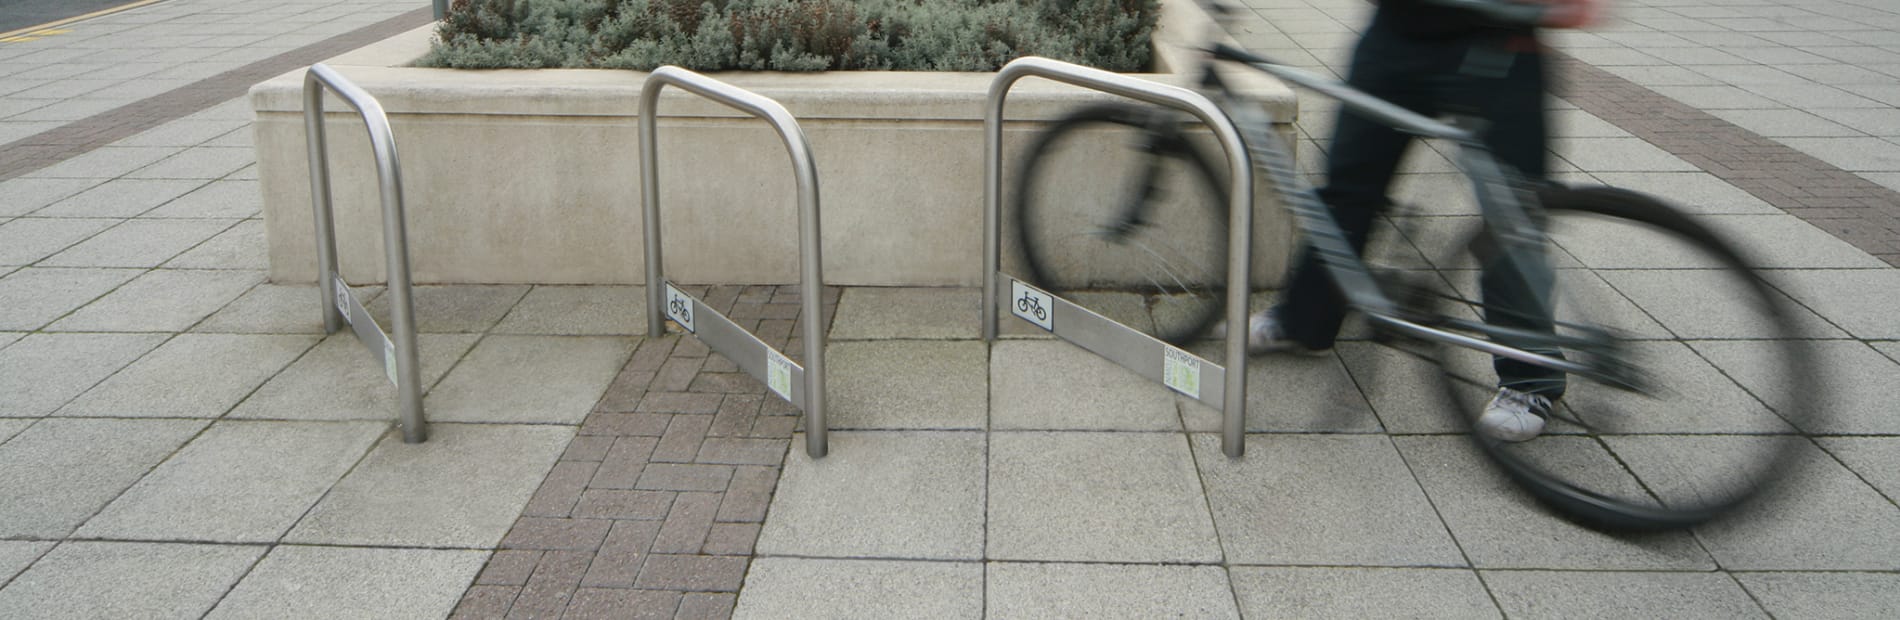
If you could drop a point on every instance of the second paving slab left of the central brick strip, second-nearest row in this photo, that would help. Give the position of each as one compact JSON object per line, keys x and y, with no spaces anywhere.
{"x":238,"y":482}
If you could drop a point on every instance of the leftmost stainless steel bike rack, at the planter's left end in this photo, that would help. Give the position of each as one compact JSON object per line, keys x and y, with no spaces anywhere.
{"x":339,"y":305}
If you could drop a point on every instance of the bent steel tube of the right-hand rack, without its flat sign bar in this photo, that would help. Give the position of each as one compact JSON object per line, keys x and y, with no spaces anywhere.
{"x":1240,"y":227}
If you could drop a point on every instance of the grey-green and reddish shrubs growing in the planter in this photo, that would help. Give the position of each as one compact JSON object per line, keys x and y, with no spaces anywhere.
{"x":793,"y":35}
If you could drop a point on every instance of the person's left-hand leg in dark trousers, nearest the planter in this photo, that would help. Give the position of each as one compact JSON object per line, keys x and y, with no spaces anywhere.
{"x":1359,"y":168}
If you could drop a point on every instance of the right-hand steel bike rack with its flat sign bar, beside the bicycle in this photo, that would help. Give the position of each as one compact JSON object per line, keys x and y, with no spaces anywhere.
{"x":1118,"y":343}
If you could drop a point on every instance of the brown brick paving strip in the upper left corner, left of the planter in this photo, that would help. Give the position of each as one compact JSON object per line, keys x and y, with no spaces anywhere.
{"x":77,"y":138}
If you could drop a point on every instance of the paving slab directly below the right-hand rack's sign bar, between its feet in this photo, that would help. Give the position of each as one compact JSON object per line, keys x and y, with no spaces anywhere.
{"x":1052,"y":385}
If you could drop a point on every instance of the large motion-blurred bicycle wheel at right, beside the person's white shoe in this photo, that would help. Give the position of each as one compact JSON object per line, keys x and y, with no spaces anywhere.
{"x":1667,"y":440}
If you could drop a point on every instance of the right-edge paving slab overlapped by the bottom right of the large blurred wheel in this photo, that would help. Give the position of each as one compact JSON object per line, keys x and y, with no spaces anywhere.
{"x":1800,"y":524}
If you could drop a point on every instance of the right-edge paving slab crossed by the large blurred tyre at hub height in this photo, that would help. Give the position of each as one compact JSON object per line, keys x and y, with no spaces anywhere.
{"x":1857,"y":393}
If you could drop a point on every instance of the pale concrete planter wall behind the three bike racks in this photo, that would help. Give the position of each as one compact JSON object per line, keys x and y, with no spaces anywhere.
{"x":533,"y":176}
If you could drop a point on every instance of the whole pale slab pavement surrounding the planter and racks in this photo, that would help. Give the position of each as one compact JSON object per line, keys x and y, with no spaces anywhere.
{"x":180,"y":438}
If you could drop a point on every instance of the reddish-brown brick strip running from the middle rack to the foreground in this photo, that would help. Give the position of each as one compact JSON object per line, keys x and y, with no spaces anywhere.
{"x":656,"y":505}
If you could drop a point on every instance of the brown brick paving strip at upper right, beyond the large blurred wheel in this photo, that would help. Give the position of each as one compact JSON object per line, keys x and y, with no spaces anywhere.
{"x":1848,"y":206}
